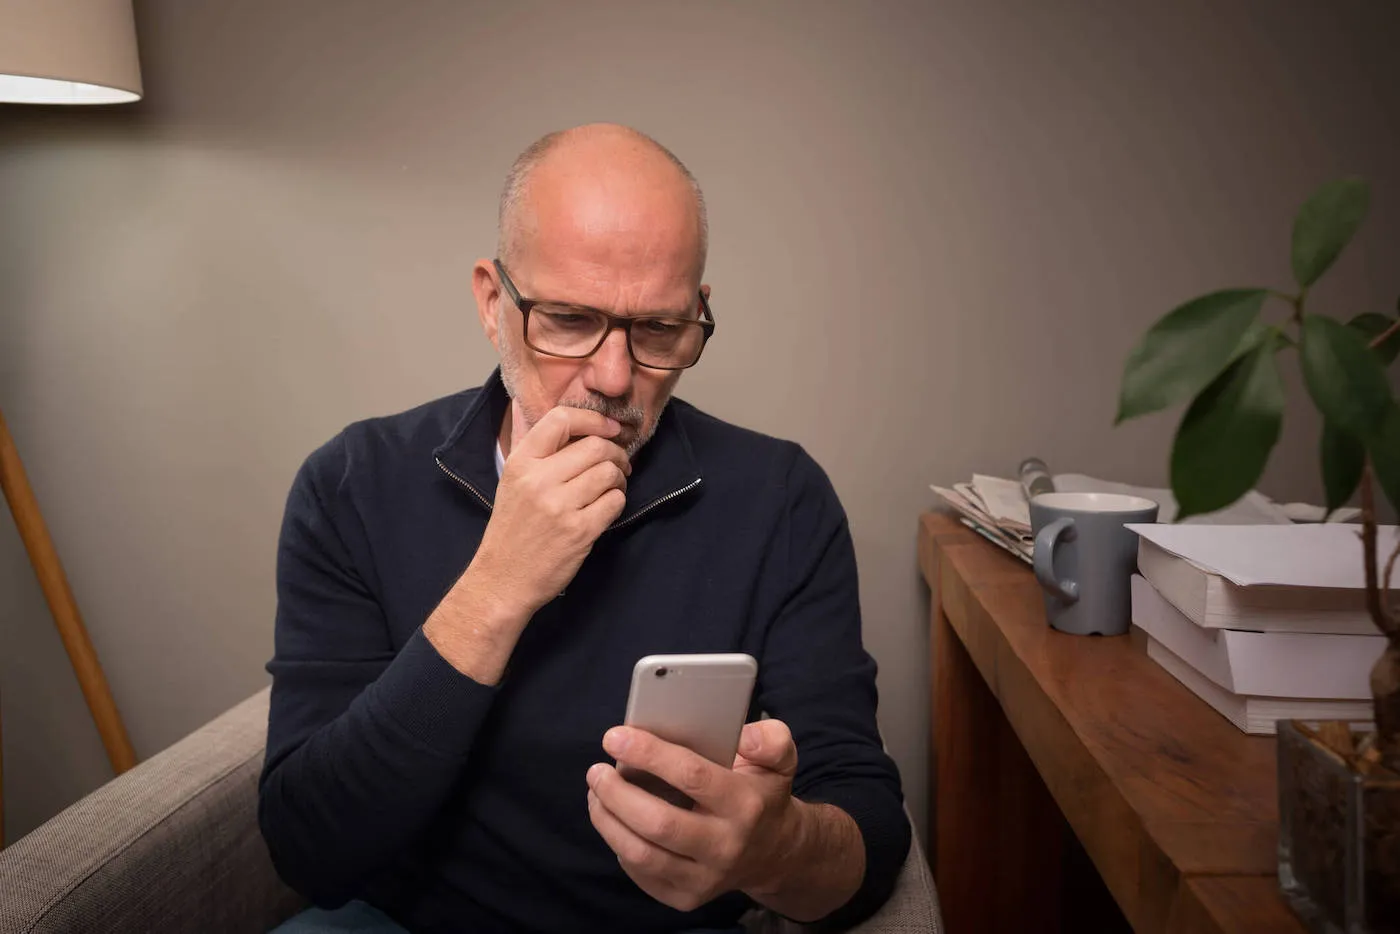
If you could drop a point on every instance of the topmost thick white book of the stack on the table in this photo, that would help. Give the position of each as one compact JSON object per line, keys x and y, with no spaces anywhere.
{"x":1303,"y":579}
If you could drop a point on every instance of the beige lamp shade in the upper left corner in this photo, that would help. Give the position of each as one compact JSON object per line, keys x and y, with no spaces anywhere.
{"x":69,"y":53}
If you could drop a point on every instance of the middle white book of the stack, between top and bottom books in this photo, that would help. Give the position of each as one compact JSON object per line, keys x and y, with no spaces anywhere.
{"x":1263,"y":664}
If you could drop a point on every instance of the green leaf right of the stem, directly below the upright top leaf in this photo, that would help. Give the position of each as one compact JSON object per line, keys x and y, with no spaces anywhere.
{"x":1343,"y":377}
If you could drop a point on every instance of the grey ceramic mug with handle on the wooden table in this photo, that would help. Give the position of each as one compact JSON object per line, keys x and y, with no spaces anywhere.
{"x":1086,"y":558}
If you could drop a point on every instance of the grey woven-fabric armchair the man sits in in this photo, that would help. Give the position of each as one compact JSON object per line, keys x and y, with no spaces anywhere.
{"x":174,"y":846}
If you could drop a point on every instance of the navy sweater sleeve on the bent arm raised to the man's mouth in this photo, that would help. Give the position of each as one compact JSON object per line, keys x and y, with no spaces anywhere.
{"x":365,"y":743}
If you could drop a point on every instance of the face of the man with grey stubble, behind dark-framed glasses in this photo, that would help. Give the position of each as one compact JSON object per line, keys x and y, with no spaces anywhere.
{"x":625,"y":247}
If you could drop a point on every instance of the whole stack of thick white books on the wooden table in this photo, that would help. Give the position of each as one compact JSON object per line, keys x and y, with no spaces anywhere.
{"x":1262,"y":622}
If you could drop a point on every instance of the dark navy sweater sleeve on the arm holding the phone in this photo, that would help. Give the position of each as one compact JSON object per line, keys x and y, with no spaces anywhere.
{"x":818,"y":678}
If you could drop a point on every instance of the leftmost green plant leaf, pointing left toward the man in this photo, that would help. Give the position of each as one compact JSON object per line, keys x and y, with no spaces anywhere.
{"x":1186,"y":349}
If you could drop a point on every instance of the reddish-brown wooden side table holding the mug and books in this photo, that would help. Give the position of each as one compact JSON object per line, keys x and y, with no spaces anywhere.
{"x":1175,"y":807}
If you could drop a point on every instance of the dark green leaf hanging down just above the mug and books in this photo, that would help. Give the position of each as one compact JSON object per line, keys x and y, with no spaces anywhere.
{"x":1224,"y":442}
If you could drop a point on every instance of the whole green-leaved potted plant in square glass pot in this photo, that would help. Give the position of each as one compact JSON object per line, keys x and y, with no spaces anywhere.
{"x":1339,"y":785}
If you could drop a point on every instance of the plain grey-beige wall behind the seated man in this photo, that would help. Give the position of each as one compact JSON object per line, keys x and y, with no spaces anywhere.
{"x":937,"y":230}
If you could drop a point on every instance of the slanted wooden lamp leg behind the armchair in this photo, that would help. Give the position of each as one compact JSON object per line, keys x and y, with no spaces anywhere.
{"x":65,"y":610}
